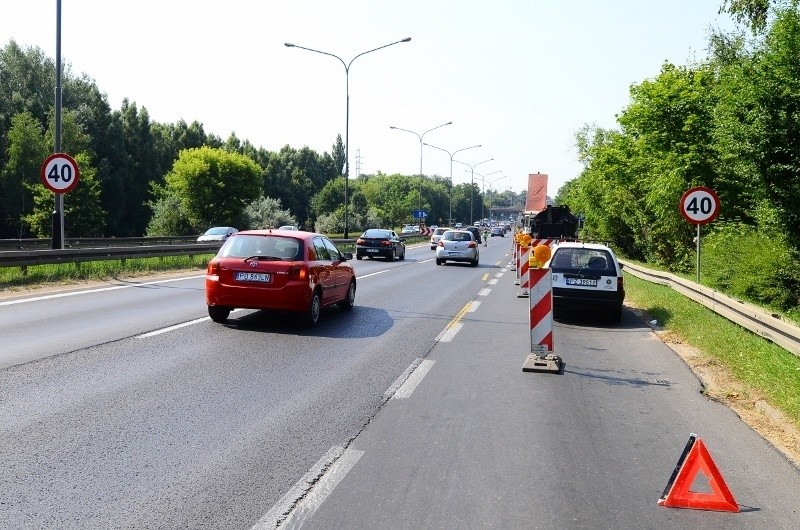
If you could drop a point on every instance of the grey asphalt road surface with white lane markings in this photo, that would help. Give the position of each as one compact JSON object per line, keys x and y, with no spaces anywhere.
{"x":128,"y":408}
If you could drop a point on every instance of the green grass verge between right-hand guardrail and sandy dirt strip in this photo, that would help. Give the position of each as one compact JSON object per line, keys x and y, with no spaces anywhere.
{"x":761,"y":370}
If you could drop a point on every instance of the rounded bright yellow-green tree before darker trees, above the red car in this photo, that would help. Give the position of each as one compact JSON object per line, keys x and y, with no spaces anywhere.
{"x":214,"y":185}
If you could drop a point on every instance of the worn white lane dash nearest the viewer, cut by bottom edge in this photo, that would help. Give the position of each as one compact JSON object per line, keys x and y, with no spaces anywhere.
{"x":308,"y":494}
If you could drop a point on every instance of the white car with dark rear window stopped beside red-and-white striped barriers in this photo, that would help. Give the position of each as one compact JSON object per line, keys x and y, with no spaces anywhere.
{"x":586,"y":276}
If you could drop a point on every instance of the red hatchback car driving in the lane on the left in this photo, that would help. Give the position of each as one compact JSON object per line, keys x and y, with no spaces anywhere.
{"x":295,"y":271}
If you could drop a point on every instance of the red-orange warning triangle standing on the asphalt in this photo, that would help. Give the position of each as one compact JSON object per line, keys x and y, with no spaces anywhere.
{"x":678,"y":494}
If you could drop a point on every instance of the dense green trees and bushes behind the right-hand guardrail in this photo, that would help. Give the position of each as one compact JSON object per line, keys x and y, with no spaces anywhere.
{"x":730,"y":122}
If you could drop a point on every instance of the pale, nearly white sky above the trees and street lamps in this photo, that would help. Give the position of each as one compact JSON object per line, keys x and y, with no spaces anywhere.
{"x":519,"y":78}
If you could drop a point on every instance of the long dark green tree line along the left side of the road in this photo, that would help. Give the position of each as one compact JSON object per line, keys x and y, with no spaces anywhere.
{"x":141,"y":177}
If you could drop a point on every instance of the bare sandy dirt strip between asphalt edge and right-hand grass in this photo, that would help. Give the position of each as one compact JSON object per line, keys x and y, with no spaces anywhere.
{"x":721,"y":386}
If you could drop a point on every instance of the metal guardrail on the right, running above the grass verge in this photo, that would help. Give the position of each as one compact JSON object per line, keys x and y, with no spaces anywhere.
{"x":763,"y":323}
